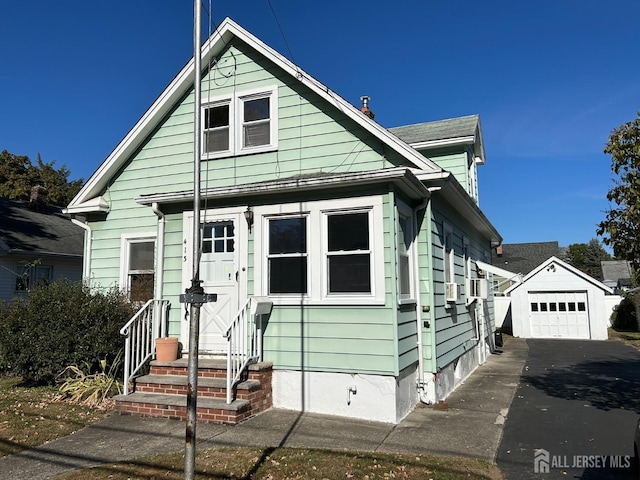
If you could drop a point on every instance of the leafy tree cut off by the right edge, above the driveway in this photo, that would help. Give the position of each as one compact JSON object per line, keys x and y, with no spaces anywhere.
{"x":621,"y":227}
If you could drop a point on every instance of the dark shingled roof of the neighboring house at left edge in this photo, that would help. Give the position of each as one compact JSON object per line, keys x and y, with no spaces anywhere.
{"x":47,"y":232}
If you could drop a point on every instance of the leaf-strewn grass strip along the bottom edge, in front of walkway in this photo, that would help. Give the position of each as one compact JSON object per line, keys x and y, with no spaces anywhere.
{"x":291,"y":463}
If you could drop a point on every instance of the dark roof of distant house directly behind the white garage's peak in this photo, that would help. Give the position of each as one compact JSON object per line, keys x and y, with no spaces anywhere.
{"x":524,"y":257}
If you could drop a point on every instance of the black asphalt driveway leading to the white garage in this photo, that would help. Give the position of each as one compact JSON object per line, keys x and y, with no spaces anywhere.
{"x":578,"y":401}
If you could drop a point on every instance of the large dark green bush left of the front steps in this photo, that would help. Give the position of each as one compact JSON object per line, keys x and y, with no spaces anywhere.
{"x":59,"y":324}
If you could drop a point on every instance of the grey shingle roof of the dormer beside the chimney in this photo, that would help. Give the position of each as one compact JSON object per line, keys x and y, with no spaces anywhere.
{"x":438,"y":130}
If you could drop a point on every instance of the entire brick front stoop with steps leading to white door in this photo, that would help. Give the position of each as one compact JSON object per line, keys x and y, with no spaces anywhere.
{"x":162,"y":393}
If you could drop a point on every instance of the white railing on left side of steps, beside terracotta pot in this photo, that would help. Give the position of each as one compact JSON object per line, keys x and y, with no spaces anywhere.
{"x":149,"y":323}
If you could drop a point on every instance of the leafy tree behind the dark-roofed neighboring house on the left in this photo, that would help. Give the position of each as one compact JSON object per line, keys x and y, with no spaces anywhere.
{"x":18,"y":175}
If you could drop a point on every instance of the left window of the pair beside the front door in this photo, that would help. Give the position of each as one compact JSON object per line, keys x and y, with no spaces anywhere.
{"x":287,"y":255}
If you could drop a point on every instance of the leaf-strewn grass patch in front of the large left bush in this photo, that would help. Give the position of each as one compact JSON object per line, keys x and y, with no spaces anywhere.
{"x":31,"y":416}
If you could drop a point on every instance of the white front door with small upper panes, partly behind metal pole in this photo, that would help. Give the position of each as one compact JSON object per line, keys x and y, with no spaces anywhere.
{"x":223,"y":271}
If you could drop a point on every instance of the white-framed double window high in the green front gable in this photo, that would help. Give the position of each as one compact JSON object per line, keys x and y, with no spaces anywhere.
{"x":241,"y":124}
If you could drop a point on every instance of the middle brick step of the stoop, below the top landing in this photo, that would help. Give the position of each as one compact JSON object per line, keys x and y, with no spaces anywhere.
{"x":211,"y":387}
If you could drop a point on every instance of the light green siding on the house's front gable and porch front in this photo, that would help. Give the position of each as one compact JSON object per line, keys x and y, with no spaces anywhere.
{"x":313,"y":137}
